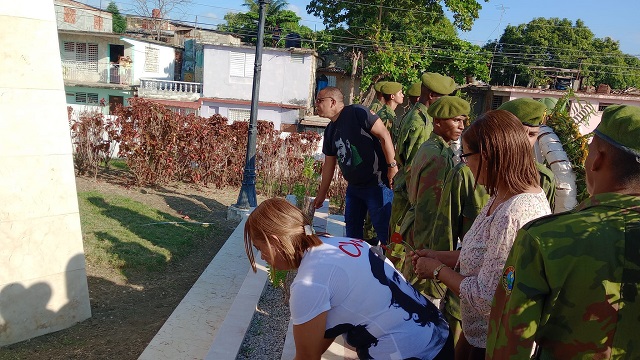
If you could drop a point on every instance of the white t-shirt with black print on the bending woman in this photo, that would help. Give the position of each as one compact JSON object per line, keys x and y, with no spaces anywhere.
{"x":367,"y":301}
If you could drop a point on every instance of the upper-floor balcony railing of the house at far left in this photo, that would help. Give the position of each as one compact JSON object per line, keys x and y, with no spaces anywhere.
{"x":96,"y":72}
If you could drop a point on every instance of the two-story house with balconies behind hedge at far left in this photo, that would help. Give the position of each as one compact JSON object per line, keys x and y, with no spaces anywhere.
{"x":102,"y":69}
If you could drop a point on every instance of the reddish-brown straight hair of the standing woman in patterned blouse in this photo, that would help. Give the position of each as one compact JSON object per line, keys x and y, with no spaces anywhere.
{"x":498,"y":137}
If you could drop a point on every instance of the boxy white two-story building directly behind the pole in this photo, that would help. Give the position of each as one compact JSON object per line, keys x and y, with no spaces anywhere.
{"x":287,"y":83}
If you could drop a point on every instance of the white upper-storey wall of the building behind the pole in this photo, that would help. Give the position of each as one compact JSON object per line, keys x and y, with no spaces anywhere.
{"x":283,"y":80}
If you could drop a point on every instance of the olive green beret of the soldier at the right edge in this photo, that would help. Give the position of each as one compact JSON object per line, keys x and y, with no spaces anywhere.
{"x":620,"y":126}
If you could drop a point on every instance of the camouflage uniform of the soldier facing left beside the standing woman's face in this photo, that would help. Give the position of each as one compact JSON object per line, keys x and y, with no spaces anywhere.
{"x":427,"y":173}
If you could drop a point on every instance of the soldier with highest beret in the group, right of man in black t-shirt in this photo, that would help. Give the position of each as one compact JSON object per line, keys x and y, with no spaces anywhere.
{"x":416,"y":129}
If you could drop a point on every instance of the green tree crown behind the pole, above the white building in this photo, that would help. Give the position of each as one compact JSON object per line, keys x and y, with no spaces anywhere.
{"x":278,"y":23}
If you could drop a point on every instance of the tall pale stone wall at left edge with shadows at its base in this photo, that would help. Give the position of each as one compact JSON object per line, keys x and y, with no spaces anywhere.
{"x":43,"y":283}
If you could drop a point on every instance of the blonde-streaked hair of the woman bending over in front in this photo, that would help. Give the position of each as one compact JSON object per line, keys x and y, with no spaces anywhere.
{"x":281,"y":226}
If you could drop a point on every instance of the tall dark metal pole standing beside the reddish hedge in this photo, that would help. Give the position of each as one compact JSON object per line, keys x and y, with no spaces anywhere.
{"x":247,"y":197}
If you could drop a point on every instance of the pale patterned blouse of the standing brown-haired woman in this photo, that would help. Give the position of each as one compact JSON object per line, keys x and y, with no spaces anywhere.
{"x":484,"y":252}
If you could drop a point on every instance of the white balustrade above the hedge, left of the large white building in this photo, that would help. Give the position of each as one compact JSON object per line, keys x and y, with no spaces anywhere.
{"x":170,"y":90}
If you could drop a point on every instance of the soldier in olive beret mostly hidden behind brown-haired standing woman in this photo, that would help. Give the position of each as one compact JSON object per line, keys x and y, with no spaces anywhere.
{"x":532,"y":114}
